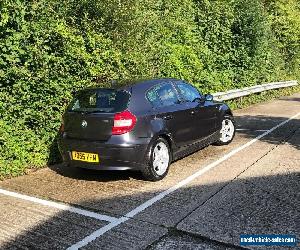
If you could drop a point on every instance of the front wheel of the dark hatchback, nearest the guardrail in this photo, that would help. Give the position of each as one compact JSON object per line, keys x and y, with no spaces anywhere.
{"x":227,"y":131}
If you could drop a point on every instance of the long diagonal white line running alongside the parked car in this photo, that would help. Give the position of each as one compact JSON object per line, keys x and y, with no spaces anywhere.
{"x":161,"y":195}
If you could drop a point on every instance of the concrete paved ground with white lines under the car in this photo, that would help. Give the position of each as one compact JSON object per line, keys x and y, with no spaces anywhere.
{"x":250,"y":186}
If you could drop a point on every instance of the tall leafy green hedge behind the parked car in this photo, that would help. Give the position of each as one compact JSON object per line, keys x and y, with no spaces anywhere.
{"x":50,"y":48}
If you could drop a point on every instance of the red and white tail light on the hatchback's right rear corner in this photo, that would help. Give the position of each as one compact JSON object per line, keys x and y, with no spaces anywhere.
{"x":123,"y":122}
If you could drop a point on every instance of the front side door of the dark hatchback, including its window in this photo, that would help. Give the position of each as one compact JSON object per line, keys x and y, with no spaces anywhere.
{"x":202,"y":113}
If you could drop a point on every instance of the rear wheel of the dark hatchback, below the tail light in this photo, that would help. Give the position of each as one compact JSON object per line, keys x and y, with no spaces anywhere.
{"x":158,"y":166}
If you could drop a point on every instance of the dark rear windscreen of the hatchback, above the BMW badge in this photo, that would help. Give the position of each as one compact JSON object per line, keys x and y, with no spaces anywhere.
{"x":100,"y":100}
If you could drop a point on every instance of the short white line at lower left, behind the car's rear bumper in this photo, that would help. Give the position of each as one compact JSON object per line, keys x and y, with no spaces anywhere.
{"x":59,"y":206}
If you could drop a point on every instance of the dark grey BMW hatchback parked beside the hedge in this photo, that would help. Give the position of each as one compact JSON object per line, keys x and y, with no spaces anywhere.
{"x":143,"y":126}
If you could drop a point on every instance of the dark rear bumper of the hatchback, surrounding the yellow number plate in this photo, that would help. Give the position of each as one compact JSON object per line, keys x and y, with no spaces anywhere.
{"x":112,"y":155}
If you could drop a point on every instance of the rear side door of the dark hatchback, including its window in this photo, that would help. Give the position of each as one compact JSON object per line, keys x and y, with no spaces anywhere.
{"x":165,"y":100}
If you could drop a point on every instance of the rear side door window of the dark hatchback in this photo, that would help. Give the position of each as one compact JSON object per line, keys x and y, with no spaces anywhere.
{"x":162,"y":95}
